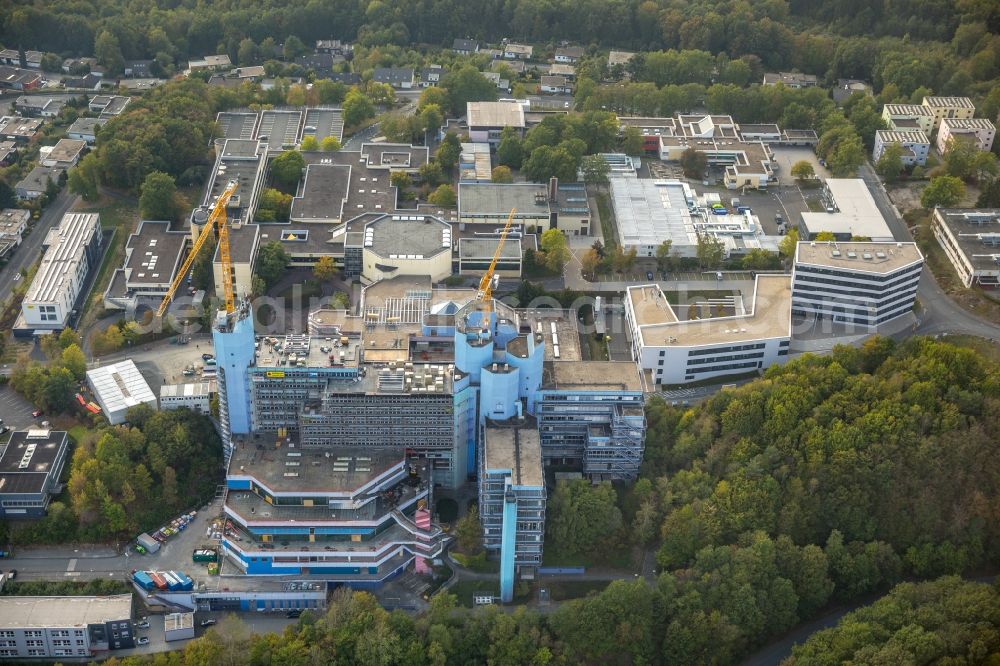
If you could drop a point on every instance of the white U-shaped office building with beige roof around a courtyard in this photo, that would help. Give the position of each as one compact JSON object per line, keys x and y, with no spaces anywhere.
{"x":676,"y":346}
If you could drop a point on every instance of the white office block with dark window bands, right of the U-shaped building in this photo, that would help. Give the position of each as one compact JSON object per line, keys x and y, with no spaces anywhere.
{"x":858,"y":283}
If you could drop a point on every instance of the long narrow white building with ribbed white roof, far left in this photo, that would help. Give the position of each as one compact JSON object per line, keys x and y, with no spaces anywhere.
{"x":71,"y":252}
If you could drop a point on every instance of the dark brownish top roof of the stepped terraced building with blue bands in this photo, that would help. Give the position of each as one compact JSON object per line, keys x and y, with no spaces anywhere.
{"x":318,"y":470}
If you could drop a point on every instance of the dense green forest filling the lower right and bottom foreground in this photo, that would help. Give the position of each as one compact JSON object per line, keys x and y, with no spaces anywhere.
{"x":829,"y":479}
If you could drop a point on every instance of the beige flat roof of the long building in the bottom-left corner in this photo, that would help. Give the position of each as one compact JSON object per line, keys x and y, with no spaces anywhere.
{"x":60,"y":612}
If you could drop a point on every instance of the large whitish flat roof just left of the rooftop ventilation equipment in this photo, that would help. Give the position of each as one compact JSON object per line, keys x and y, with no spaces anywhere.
{"x":649,"y":212}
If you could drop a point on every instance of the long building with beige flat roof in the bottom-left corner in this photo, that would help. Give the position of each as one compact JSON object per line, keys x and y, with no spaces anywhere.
{"x":77,"y":627}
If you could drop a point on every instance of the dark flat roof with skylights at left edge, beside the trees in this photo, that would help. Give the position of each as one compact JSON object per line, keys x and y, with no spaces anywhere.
{"x":28,"y":458}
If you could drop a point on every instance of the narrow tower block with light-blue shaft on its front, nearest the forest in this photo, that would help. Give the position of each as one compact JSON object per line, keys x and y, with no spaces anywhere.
{"x":512,"y":499}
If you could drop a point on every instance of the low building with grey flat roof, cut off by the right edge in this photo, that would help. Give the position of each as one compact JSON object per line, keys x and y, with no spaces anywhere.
{"x":970,"y":238}
